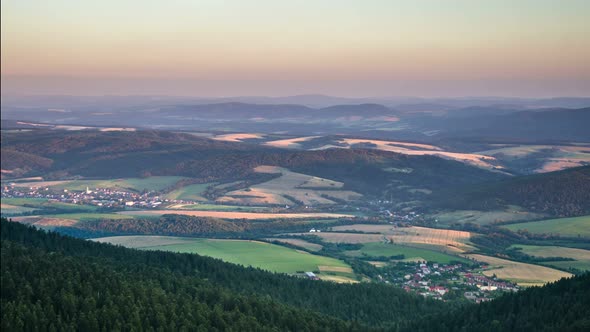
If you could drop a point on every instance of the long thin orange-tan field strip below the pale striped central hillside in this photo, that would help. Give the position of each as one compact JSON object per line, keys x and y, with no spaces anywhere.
{"x":235,"y":215}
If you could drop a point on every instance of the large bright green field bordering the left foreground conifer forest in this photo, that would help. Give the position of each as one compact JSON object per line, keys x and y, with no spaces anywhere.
{"x":262,"y":255}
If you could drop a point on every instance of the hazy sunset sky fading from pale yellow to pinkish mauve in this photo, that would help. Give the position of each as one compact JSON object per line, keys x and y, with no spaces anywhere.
{"x":212,"y":48}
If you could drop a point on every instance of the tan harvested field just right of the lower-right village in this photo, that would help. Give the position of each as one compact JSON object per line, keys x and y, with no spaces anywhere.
{"x":521,"y":273}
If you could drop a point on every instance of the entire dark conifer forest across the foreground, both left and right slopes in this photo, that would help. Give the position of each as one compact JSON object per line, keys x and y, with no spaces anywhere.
{"x":54,"y":282}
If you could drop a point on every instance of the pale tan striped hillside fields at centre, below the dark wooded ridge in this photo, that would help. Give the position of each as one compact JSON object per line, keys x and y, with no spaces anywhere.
{"x":309,"y":190}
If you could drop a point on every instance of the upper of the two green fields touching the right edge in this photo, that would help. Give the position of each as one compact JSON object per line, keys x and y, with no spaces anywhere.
{"x":575,"y":227}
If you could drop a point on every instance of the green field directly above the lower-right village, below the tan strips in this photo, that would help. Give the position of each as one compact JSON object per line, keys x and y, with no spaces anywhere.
{"x":377,"y":249}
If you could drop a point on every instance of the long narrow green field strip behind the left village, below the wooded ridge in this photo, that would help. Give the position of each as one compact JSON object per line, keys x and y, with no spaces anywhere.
{"x":153,"y":183}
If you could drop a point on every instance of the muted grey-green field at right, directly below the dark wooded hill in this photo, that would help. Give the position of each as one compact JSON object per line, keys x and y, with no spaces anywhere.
{"x":512,"y":213}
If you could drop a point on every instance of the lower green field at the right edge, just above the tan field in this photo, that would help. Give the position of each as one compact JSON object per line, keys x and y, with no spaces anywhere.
{"x":581,"y":256}
